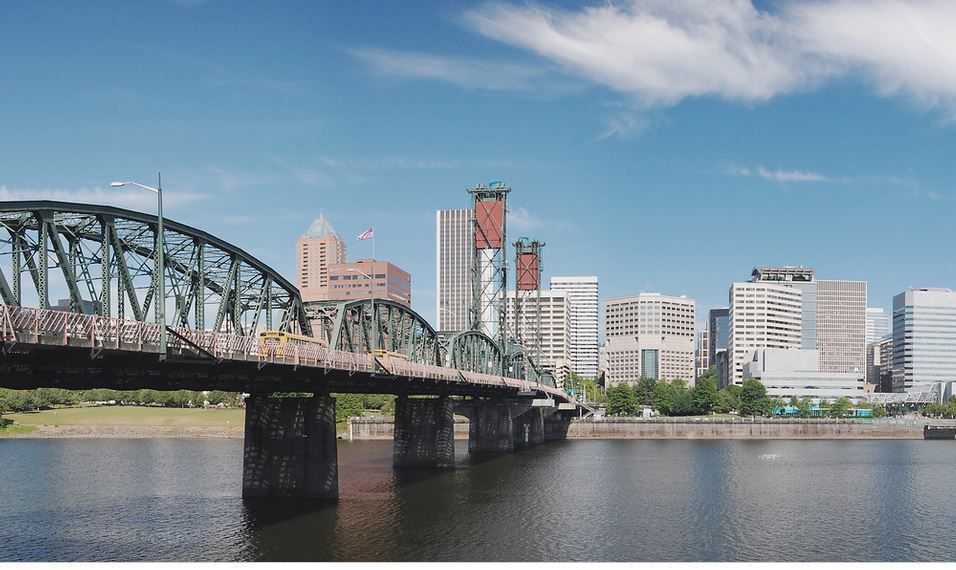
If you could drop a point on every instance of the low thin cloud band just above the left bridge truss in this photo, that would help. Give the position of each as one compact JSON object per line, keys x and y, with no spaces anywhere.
{"x":123,"y":198}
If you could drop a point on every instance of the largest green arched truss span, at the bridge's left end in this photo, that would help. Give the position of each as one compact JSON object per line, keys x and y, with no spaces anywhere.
{"x":103,"y":259}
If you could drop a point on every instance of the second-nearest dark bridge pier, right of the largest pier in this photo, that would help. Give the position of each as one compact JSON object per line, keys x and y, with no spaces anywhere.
{"x":424,"y":432}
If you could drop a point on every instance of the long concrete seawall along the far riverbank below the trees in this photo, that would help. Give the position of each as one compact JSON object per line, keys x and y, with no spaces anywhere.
{"x":676,"y":428}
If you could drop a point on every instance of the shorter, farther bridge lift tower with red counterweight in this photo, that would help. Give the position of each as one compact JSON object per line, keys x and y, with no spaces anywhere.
{"x":528,"y":297}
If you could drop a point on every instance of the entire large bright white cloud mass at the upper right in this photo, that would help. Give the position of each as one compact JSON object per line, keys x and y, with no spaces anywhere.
{"x":660,"y":52}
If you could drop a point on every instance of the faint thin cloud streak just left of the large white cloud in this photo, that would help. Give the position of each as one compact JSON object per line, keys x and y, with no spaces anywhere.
{"x":467,"y":73}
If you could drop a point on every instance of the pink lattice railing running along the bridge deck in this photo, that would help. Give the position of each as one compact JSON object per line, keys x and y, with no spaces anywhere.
{"x":52,"y":327}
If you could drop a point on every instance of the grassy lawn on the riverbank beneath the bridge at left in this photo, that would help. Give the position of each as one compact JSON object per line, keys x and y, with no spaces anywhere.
{"x":130,"y":416}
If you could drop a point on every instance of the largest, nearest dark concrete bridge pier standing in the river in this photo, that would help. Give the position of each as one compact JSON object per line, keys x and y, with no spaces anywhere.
{"x":290,"y":448}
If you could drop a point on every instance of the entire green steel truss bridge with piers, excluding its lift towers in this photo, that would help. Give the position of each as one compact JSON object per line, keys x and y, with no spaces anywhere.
{"x":99,"y":263}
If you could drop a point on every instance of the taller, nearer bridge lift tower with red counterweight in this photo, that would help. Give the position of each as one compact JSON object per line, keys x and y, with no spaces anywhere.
{"x":489,"y":264}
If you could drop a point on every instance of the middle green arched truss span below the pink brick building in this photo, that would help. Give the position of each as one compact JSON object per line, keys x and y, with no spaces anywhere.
{"x":351,"y":326}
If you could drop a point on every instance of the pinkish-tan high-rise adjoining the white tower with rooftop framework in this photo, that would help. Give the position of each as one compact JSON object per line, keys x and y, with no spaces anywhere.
{"x":841,"y":325}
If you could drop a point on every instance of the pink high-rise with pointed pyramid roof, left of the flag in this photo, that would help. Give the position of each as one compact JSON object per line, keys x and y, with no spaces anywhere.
{"x":317,"y":249}
